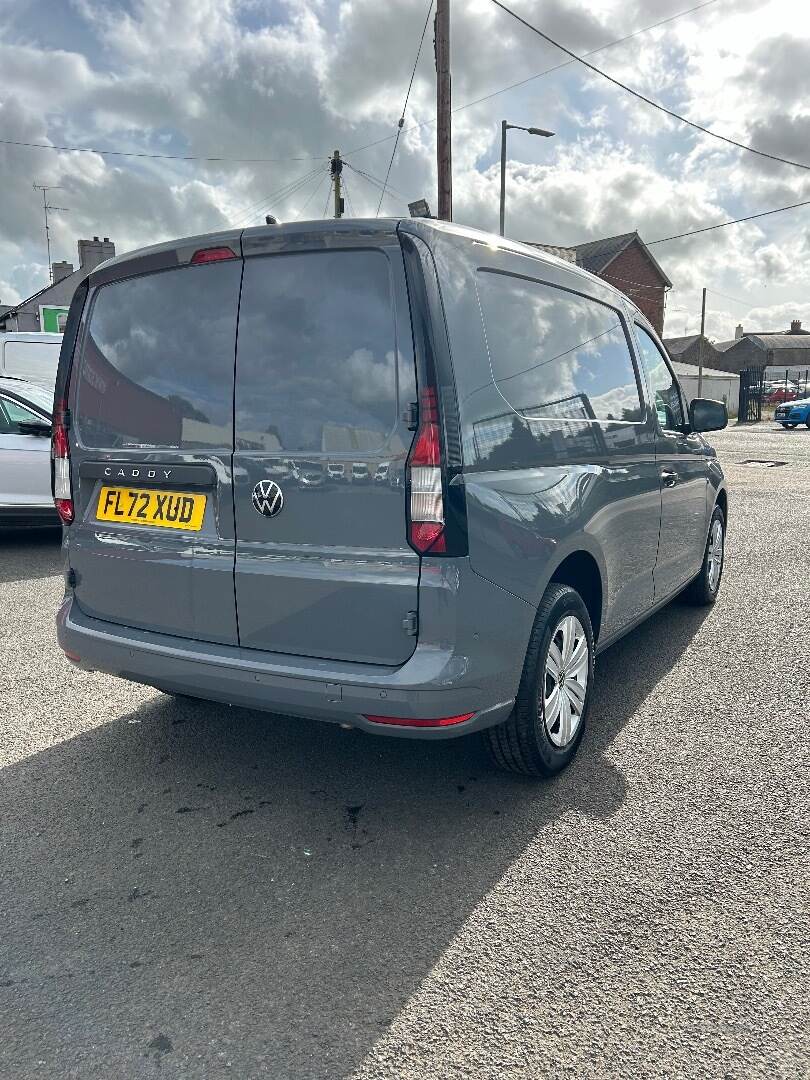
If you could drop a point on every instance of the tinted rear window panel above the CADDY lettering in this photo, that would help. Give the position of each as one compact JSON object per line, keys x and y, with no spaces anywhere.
{"x":157,"y":368}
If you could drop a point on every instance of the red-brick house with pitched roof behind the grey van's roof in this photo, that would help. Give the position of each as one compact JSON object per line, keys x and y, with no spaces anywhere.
{"x":627,"y":263}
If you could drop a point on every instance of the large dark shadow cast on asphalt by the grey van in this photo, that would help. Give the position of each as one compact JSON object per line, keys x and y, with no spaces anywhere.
{"x":192,"y":886}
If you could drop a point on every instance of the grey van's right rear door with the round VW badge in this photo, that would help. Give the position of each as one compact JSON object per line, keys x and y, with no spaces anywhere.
{"x":325,"y":372}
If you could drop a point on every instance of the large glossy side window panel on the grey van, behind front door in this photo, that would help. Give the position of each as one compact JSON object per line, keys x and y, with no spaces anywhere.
{"x":557,"y":355}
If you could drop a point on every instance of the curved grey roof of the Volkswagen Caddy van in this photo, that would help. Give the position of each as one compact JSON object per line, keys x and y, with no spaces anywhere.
{"x":156,"y":256}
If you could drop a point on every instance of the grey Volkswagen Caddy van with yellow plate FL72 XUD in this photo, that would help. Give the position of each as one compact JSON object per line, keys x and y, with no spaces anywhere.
{"x":552,"y":488}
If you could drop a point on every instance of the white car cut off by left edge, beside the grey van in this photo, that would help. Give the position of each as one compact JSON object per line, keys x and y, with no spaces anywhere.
{"x":25,"y":454}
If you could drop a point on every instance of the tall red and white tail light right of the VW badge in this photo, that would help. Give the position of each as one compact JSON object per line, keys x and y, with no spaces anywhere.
{"x":425,"y":477}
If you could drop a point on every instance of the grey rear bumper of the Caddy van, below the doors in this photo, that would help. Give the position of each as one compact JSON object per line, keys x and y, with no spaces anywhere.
{"x":327,"y":691}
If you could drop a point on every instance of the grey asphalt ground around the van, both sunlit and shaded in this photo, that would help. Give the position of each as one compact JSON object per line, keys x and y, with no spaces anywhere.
{"x":194,"y":892}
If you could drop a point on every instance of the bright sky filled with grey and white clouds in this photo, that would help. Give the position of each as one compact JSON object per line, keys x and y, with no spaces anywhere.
{"x":292,"y":80}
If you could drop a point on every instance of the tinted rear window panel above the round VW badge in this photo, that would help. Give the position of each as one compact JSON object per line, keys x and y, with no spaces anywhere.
{"x":317,"y":367}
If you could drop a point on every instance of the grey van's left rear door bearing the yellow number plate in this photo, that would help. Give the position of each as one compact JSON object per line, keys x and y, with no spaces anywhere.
{"x":153,"y":544}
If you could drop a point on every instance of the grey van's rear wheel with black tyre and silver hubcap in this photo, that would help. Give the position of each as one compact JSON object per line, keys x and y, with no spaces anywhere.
{"x":525,"y":744}
